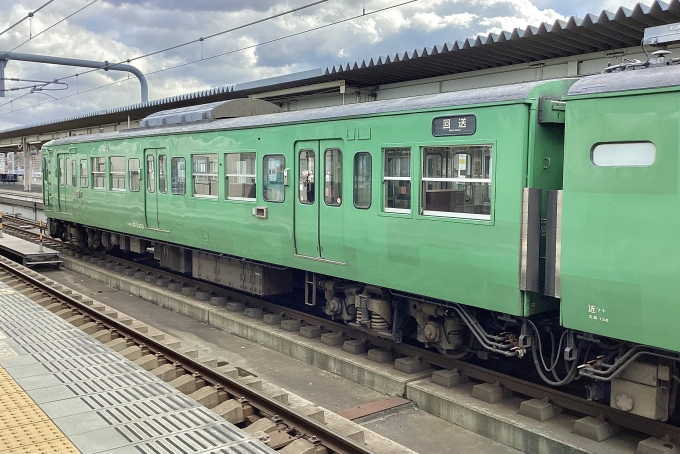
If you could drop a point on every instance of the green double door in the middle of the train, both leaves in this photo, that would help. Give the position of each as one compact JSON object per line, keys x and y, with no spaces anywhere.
{"x":319,"y":221}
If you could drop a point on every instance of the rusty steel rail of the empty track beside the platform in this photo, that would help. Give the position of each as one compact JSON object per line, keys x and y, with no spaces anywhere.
{"x":265,"y":404}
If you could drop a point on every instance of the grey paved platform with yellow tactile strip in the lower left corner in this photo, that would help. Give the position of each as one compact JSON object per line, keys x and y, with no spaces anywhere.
{"x":70,"y":393}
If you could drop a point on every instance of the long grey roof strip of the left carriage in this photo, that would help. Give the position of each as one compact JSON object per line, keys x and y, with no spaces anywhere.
{"x":503,"y":93}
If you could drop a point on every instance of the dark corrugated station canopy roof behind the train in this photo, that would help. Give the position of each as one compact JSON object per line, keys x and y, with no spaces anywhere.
{"x":574,"y":36}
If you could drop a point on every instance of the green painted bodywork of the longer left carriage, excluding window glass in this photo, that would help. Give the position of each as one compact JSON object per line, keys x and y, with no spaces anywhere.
{"x":468,"y":261}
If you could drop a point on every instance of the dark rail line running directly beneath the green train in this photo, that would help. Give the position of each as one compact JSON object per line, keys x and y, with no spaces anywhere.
{"x":567,"y":401}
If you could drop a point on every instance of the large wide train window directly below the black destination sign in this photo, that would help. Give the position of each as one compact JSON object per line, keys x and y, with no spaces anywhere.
{"x":457,"y":181}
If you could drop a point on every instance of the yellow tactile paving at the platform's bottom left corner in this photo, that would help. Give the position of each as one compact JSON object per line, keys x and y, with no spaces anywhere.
{"x":24,"y":427}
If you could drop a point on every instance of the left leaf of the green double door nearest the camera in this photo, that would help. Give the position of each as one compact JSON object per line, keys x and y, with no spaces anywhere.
{"x":306,"y":203}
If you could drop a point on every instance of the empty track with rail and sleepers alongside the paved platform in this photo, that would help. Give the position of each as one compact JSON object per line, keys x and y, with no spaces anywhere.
{"x":291,"y":425}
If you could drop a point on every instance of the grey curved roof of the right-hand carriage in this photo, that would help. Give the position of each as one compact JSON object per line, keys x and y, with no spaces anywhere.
{"x":639,"y":79}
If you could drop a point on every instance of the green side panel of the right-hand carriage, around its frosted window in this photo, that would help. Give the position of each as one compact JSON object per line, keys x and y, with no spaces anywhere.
{"x":620,"y":250}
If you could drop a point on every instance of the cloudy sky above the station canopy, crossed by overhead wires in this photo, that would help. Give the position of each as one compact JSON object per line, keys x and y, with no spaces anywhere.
{"x":333,"y":32}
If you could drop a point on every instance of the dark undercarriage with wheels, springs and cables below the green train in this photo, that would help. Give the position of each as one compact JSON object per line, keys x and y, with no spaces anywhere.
{"x":632,"y":378}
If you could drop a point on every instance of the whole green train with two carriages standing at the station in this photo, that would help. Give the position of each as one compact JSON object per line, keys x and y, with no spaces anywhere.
{"x":532,"y":221}
